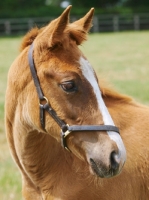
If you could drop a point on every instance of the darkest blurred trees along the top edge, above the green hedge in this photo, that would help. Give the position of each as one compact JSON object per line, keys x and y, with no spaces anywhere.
{"x":76,"y":3}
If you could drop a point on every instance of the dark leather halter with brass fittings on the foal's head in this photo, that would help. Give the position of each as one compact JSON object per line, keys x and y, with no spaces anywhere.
{"x":45,"y":106}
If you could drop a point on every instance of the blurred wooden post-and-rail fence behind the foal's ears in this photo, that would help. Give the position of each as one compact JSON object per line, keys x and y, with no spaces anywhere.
{"x":102,"y":23}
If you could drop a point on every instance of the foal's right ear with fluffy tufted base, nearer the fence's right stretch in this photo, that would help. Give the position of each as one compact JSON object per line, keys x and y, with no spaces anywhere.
{"x":79,"y":29}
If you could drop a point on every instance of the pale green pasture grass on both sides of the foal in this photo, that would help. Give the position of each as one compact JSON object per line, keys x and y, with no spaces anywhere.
{"x":120,"y":58}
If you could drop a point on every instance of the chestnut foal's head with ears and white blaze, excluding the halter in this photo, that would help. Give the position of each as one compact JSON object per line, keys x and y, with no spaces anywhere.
{"x":70,"y":84}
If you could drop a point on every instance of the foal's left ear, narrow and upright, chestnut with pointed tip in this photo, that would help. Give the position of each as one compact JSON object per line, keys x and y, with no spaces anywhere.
{"x":59,"y":26}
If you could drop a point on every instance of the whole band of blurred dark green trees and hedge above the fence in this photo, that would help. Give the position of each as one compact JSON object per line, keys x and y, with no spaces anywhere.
{"x":34,"y":8}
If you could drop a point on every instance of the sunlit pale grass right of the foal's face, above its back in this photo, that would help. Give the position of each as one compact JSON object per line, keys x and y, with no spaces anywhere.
{"x":122,"y":59}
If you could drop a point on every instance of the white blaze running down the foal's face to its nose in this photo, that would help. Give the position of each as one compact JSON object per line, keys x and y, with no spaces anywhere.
{"x":88,"y":73}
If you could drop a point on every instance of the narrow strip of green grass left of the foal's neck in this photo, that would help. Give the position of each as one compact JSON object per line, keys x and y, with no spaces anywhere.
{"x":10,"y":179}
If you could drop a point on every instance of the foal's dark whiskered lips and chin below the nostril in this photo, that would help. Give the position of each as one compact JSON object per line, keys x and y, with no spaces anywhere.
{"x":102,"y":172}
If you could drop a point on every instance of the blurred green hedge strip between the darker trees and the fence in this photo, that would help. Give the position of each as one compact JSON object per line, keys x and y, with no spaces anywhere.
{"x":44,"y":11}
